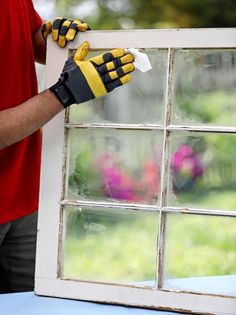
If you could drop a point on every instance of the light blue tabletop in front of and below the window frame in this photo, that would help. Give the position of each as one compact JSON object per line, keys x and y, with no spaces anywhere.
{"x":29,"y":304}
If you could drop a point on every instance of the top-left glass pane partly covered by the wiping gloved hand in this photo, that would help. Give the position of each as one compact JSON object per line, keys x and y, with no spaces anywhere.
{"x":140,"y":101}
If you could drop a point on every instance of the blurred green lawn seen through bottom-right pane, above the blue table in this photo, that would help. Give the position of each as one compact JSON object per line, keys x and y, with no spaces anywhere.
{"x":204,"y":246}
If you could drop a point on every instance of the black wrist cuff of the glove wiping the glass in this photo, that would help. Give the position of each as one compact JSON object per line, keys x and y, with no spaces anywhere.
{"x":62,"y":93}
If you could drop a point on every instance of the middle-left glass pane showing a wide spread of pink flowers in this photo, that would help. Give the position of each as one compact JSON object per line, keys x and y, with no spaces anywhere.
{"x":121,"y":165}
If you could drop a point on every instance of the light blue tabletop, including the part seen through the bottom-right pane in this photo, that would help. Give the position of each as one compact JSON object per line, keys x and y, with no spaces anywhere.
{"x":29,"y":304}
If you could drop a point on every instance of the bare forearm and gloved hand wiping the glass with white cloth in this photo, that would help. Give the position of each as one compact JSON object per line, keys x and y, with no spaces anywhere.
{"x":80,"y":81}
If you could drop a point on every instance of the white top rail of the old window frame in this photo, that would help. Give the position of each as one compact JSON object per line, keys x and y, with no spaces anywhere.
{"x":165,"y":38}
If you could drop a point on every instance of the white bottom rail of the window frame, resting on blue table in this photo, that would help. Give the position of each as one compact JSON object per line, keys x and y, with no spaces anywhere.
{"x":139,"y":297}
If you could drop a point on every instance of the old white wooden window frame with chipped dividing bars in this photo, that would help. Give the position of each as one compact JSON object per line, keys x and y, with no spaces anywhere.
{"x":48,"y":265}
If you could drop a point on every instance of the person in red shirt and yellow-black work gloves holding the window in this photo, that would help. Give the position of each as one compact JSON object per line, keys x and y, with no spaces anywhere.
{"x":23,"y":112}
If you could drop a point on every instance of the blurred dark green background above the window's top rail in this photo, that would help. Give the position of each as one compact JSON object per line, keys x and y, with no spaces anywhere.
{"x":128,"y":14}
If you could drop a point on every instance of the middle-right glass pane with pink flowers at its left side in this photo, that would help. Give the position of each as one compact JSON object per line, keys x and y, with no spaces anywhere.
{"x":203,"y":170}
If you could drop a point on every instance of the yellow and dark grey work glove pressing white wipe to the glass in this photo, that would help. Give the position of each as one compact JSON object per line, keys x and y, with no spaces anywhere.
{"x":82,"y":80}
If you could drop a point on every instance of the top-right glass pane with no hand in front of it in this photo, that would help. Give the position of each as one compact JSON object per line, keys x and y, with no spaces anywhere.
{"x":204,"y":87}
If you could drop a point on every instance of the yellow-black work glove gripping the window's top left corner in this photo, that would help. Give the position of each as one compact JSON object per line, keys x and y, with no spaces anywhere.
{"x":63,"y":30}
